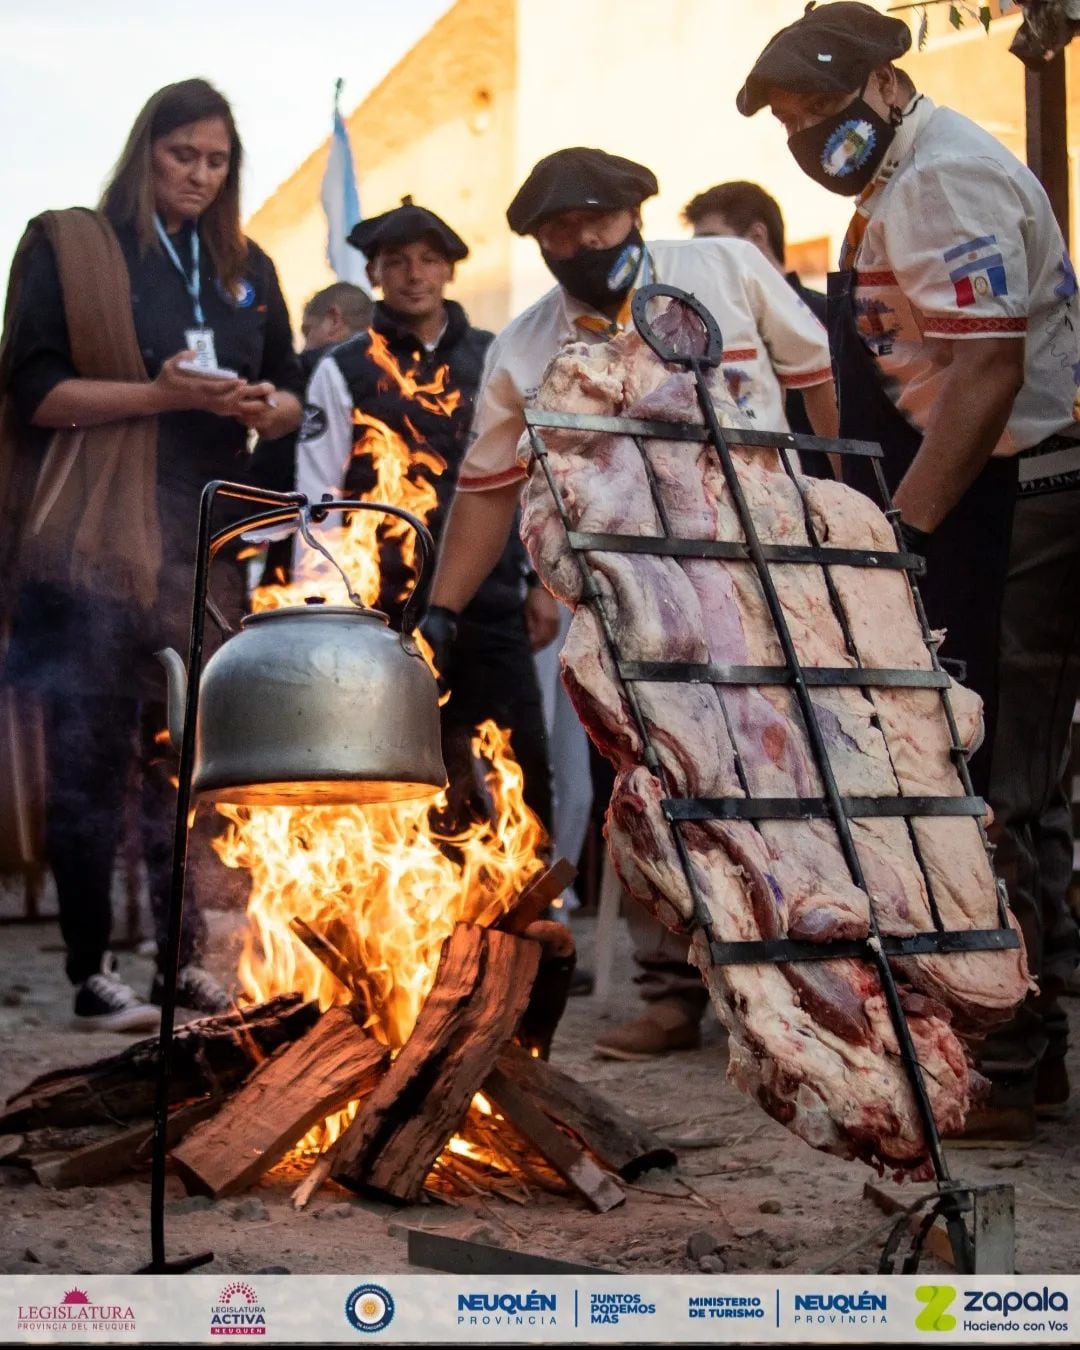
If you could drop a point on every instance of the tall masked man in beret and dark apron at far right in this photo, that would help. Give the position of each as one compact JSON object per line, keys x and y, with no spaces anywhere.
{"x":956,"y":337}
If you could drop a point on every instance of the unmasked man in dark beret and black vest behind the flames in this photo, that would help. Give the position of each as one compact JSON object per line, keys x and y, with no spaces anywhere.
{"x":411,"y":256}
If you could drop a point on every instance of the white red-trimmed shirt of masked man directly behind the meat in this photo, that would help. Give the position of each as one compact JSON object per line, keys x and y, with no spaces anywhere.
{"x":772,"y":344}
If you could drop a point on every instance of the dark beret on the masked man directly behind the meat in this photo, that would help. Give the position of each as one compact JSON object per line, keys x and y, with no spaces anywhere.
{"x":574,"y":180}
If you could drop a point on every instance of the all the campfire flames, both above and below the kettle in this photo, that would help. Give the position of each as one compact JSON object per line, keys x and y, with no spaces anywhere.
{"x":383,"y":886}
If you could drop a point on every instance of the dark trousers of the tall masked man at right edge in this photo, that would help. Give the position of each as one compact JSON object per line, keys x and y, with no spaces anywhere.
{"x":1040,"y":682}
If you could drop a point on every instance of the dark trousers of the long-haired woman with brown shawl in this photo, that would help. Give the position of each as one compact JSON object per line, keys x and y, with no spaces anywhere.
{"x":91,"y":749}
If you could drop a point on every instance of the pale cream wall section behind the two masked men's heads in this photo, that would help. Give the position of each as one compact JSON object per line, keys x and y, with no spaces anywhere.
{"x":657,"y":82}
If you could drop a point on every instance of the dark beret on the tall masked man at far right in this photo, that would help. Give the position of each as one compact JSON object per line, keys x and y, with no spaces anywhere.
{"x":832,"y":49}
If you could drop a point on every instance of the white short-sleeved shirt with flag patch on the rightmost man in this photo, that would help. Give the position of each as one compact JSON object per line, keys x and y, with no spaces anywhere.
{"x":962,"y":244}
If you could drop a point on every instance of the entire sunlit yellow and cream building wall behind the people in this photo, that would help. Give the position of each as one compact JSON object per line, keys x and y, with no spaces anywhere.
{"x":499,"y":84}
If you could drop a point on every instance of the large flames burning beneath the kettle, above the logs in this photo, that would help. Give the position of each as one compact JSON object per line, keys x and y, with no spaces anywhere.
{"x":383,"y":885}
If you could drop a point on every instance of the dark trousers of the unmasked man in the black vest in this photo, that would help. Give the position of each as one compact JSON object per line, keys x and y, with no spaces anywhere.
{"x":495,"y":676}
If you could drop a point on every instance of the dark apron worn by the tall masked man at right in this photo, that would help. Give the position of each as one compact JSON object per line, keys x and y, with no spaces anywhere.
{"x":967,"y":558}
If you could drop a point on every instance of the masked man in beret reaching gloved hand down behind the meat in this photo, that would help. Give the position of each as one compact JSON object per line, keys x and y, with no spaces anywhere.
{"x":583,"y":206}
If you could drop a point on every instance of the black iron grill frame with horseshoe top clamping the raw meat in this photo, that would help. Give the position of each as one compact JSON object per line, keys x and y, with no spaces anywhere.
{"x":700,"y":352}
